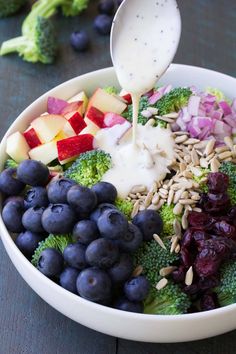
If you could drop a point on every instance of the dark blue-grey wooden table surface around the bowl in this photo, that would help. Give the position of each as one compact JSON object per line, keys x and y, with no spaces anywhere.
{"x":27,"y":324}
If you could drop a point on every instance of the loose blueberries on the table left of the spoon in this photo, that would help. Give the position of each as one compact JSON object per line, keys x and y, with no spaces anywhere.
{"x":102,"y":24}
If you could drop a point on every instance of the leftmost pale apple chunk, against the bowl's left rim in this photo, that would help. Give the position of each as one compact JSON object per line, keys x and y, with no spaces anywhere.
{"x":17,"y":147}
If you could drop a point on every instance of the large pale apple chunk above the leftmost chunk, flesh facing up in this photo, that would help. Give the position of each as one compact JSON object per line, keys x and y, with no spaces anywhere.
{"x":48,"y":126}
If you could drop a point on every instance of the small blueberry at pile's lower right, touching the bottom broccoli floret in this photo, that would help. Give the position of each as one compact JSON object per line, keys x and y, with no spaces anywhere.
{"x":137,"y":288}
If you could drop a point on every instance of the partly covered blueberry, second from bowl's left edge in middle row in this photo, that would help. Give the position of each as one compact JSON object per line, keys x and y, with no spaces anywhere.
{"x":32,"y":219}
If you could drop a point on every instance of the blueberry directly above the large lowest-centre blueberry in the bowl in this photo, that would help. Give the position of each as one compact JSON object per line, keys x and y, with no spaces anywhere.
{"x":102,"y":253}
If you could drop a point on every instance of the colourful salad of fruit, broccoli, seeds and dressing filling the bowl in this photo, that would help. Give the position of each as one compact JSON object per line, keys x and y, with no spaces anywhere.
{"x":155,"y":246}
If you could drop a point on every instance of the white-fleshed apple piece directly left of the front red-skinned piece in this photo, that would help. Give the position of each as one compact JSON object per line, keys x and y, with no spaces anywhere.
{"x":45,"y":153}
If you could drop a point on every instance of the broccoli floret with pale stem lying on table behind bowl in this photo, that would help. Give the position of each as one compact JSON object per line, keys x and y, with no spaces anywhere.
{"x":37,"y":42}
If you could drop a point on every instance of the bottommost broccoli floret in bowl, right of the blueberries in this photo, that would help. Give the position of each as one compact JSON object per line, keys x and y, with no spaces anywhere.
{"x":170,"y":300}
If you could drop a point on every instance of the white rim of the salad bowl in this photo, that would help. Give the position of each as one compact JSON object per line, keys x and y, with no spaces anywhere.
{"x":49,"y":284}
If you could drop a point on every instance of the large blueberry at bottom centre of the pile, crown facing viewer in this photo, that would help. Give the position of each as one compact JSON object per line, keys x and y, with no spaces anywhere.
{"x":94,"y":284}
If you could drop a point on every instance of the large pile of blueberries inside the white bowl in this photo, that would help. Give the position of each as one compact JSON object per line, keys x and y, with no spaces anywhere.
{"x":98,"y":264}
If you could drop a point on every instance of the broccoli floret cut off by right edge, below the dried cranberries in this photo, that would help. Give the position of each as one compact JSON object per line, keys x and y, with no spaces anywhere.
{"x":226,"y":291}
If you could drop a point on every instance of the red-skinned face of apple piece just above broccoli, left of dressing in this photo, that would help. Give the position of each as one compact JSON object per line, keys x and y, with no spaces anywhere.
{"x":74,"y":146}
